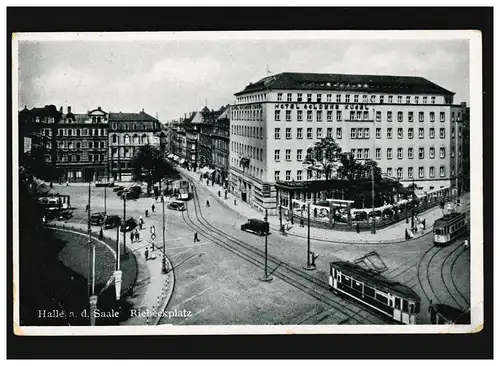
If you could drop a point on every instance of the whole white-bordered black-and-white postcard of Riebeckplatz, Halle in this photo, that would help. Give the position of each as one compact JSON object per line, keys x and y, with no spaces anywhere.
{"x":247,"y":182}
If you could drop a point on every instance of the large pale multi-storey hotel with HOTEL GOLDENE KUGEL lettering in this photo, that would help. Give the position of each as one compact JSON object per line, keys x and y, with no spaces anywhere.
{"x":408,"y":125}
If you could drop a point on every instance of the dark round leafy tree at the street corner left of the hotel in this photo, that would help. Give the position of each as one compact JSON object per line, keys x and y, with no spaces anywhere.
{"x":149,"y":165}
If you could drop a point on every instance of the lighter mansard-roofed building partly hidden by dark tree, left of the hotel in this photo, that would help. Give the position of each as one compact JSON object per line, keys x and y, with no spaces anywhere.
{"x":127,"y":133}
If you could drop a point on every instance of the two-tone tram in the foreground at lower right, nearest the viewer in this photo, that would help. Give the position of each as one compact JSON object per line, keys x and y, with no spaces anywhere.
{"x":392,"y":299}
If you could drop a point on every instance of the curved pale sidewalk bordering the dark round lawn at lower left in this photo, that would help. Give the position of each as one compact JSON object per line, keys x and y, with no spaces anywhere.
{"x":153,"y":289}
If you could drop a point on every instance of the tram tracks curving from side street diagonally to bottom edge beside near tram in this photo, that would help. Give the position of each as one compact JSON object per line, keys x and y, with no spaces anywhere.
{"x":304,"y":282}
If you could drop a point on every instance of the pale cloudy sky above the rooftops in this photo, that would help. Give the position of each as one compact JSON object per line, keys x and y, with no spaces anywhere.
{"x":172,"y":77}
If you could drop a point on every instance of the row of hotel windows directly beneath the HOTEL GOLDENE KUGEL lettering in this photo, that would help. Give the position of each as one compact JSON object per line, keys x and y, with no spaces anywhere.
{"x":357,"y":116}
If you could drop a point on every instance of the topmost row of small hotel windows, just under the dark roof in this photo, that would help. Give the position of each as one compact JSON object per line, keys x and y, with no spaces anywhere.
{"x":299,"y":97}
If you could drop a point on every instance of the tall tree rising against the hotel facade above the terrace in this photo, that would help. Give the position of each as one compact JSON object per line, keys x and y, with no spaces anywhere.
{"x":324,"y":157}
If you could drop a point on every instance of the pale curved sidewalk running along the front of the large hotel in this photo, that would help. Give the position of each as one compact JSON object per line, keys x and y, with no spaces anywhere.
{"x":390,"y":234}
